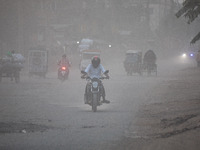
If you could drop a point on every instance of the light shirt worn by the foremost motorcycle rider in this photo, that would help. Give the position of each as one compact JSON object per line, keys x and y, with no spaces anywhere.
{"x":94,"y":72}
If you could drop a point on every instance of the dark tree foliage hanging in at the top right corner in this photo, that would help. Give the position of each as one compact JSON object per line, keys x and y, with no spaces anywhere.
{"x":190,"y":10}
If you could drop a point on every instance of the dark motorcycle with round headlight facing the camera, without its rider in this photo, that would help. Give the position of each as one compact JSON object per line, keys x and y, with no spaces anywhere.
{"x":94,"y":91}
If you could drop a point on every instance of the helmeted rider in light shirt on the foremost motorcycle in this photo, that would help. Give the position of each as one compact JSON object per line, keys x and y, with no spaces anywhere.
{"x":94,"y":70}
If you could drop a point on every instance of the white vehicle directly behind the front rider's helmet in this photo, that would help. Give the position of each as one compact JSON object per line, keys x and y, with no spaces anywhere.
{"x":86,"y":57}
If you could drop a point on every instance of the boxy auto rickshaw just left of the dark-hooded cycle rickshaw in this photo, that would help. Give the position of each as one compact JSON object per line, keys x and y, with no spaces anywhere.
{"x":133,"y":62}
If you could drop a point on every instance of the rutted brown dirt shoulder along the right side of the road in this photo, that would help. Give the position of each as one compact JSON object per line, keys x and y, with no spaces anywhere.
{"x":170,"y":118}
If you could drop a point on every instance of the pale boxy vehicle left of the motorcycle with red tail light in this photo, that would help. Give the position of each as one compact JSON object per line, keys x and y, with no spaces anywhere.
{"x":38,"y":62}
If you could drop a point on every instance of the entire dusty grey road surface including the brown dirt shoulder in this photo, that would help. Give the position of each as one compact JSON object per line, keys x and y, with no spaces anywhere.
{"x":145,"y":112}
